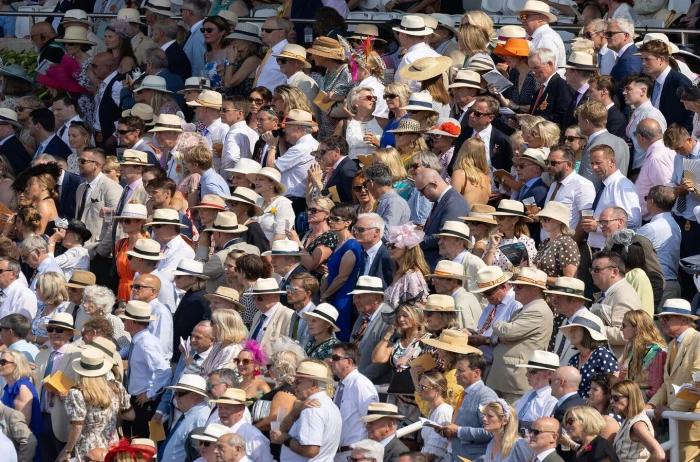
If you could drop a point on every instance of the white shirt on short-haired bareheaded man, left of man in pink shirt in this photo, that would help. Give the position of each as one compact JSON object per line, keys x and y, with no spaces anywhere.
{"x":618,"y":191}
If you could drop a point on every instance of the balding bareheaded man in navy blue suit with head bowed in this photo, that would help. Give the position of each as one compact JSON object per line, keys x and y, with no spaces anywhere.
{"x":448,"y":205}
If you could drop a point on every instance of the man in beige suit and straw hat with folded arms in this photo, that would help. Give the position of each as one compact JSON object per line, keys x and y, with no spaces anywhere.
{"x":528,"y":329}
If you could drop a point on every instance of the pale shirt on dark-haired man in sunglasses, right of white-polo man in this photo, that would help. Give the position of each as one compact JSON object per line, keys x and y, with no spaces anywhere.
{"x":358,"y":392}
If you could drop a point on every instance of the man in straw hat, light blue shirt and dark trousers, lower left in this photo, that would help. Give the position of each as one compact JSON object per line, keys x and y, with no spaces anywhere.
{"x":148,"y":373}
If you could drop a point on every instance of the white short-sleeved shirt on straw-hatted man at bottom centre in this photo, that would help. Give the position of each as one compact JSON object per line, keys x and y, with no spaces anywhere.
{"x":316,"y":426}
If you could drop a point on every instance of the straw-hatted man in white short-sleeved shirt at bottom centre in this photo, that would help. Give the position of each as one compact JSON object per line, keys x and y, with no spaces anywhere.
{"x":315,"y":431}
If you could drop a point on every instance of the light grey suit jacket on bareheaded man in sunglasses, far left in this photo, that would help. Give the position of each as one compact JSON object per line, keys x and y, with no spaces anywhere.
{"x":105,"y":194}
